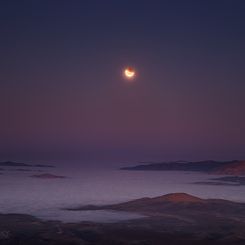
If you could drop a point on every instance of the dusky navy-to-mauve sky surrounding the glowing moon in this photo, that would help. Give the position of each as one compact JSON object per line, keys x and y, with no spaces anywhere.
{"x":63,"y":96}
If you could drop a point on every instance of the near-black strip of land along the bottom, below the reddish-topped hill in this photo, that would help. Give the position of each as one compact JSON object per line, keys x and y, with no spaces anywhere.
{"x":25,"y":230}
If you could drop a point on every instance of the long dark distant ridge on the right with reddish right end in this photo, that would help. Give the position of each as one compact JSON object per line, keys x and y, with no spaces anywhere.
{"x":235,"y":167}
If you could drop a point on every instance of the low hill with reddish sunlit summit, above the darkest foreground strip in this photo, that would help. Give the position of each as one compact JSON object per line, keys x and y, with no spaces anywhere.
{"x":178,"y":204}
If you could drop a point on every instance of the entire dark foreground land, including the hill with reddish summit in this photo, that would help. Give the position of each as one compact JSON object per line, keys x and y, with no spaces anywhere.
{"x":171,"y":219}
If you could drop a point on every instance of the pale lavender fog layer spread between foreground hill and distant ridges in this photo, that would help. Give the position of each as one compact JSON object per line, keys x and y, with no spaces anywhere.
{"x":45,"y":198}
